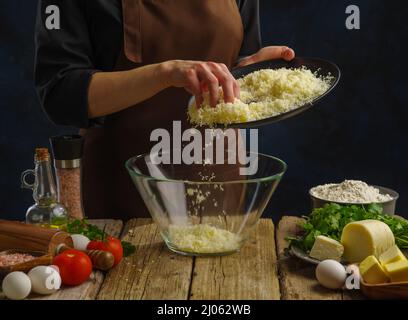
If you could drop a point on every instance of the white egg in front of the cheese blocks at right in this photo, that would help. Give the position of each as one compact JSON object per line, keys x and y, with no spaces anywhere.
{"x":331,"y":274}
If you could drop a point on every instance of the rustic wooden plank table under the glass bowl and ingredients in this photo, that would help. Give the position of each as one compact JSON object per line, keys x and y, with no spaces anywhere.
{"x":260,"y":271}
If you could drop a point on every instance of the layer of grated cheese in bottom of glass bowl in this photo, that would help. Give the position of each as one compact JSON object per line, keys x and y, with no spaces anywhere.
{"x":203,"y":238}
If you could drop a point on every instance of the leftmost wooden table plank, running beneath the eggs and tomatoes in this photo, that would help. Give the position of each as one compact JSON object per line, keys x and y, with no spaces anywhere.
{"x":89,"y":289}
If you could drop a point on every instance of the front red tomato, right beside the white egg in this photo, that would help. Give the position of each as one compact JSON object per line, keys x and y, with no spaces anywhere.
{"x":75,"y":267}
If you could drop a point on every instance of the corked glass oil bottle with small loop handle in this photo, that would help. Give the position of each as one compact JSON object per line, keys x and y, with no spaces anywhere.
{"x":46,"y":211}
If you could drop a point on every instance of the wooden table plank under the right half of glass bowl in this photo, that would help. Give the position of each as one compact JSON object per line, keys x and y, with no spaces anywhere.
{"x":249,"y":274}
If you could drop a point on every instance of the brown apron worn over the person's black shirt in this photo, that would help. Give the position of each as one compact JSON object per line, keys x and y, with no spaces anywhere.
{"x":154,"y":31}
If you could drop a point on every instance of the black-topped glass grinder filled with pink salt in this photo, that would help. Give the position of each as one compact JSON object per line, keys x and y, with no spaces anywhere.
{"x":67,"y":152}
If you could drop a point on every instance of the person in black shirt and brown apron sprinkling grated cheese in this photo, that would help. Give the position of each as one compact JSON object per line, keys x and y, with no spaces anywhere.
{"x":118,"y":69}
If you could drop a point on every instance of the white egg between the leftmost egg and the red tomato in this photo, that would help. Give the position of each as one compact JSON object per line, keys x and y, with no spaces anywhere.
{"x":45,"y":279}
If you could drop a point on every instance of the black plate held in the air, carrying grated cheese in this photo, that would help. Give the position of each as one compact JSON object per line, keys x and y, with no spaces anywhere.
{"x":322,"y":67}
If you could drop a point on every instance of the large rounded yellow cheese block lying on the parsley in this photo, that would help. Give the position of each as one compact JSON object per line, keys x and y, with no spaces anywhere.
{"x":365,"y":238}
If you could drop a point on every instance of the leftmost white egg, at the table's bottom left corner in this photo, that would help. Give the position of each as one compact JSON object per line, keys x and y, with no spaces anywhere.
{"x":16,"y":285}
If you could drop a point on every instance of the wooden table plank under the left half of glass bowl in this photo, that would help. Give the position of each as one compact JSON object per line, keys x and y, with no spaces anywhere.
{"x":152,"y":272}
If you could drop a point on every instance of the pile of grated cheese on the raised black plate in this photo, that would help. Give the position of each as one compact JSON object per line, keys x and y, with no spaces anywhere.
{"x":264,"y":93}
